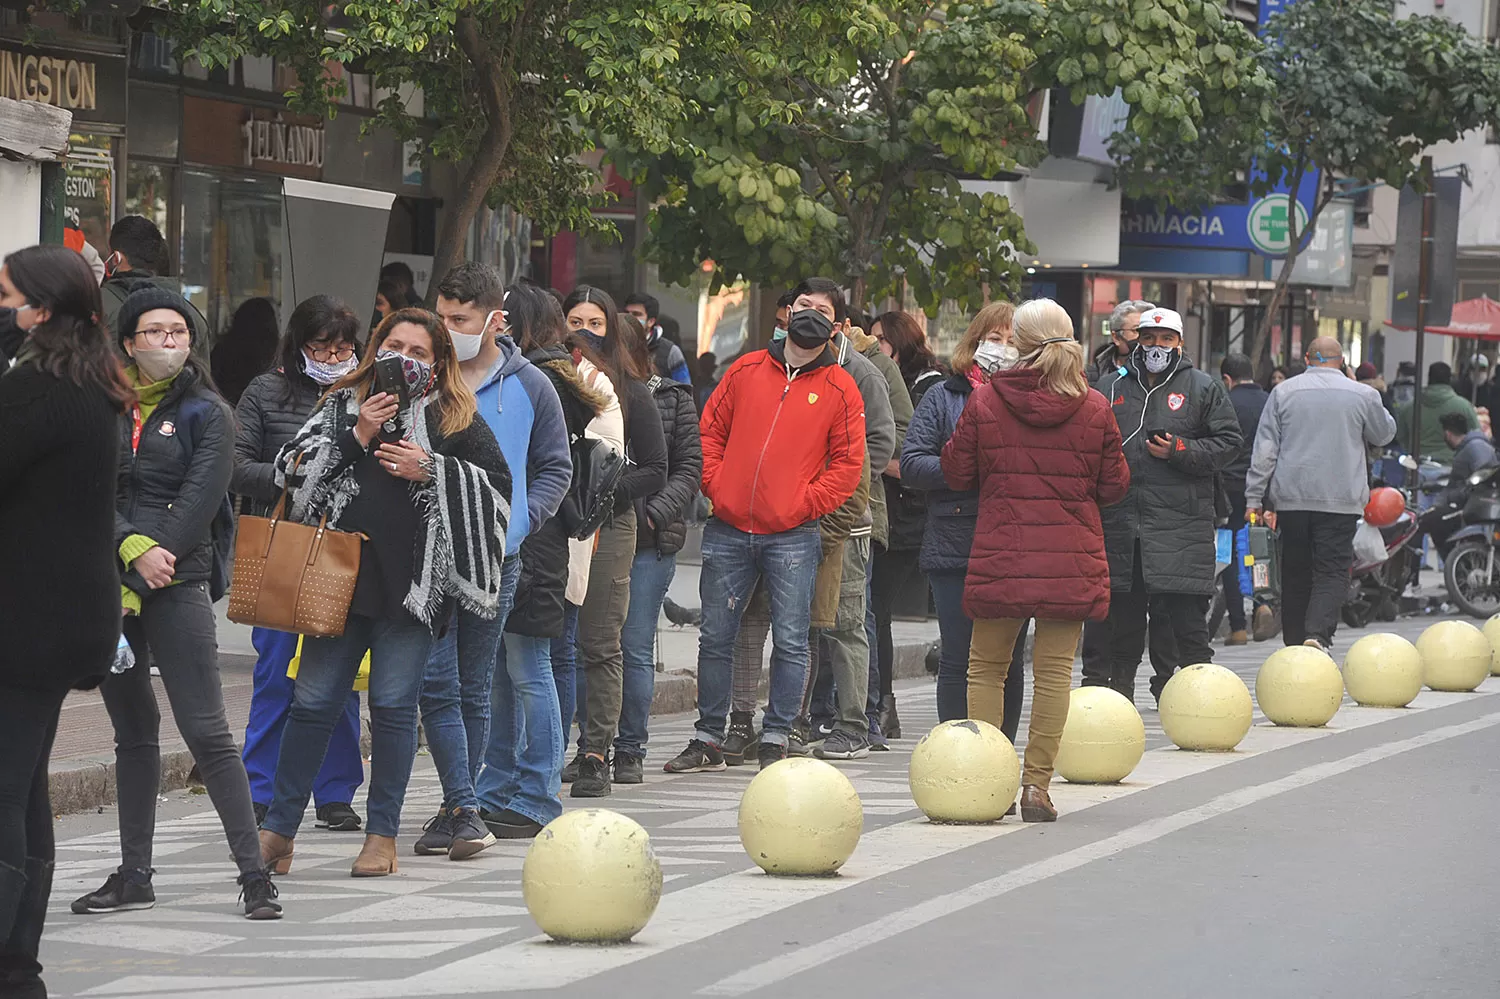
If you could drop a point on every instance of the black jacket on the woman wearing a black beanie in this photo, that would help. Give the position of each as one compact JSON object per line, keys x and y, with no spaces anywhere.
{"x":175,"y":485}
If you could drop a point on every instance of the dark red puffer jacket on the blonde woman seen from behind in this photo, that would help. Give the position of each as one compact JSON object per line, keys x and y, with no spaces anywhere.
{"x":1043,"y":464}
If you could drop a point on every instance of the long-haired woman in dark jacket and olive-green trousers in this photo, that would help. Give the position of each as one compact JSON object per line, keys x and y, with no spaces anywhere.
{"x":595,"y":331}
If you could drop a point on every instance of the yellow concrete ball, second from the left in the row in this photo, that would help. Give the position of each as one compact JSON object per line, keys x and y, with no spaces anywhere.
{"x":800,"y":817}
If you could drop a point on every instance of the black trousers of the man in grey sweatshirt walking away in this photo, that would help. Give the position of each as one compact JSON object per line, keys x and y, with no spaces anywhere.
{"x":1316,"y":554}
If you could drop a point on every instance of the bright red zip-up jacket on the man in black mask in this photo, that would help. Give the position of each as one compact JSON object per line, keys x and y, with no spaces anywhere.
{"x":782,"y":446}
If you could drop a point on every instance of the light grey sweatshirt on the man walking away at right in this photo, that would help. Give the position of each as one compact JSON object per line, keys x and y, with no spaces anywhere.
{"x":1310,"y":449}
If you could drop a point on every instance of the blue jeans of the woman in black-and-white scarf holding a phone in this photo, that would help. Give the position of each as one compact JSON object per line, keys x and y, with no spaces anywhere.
{"x":400,"y":652}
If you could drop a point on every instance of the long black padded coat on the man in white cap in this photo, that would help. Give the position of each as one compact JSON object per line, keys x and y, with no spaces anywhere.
{"x":1171,"y":508}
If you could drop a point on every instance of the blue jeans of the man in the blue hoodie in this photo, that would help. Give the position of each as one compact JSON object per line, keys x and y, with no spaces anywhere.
{"x":457,"y":694}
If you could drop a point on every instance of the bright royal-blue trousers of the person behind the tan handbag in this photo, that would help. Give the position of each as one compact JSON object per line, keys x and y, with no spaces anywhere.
{"x":343,"y":769}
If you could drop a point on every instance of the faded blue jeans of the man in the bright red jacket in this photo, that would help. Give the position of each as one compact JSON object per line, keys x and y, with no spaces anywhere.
{"x":733,"y":563}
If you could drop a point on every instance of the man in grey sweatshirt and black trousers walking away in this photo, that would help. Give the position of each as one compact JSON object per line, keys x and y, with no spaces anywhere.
{"x":1309,"y":469}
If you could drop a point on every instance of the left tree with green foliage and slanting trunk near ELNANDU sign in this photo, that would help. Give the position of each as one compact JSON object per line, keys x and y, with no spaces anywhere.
{"x":509,"y":86}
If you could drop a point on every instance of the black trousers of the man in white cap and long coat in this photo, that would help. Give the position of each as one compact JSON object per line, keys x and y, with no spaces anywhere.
{"x":1177,"y":625}
